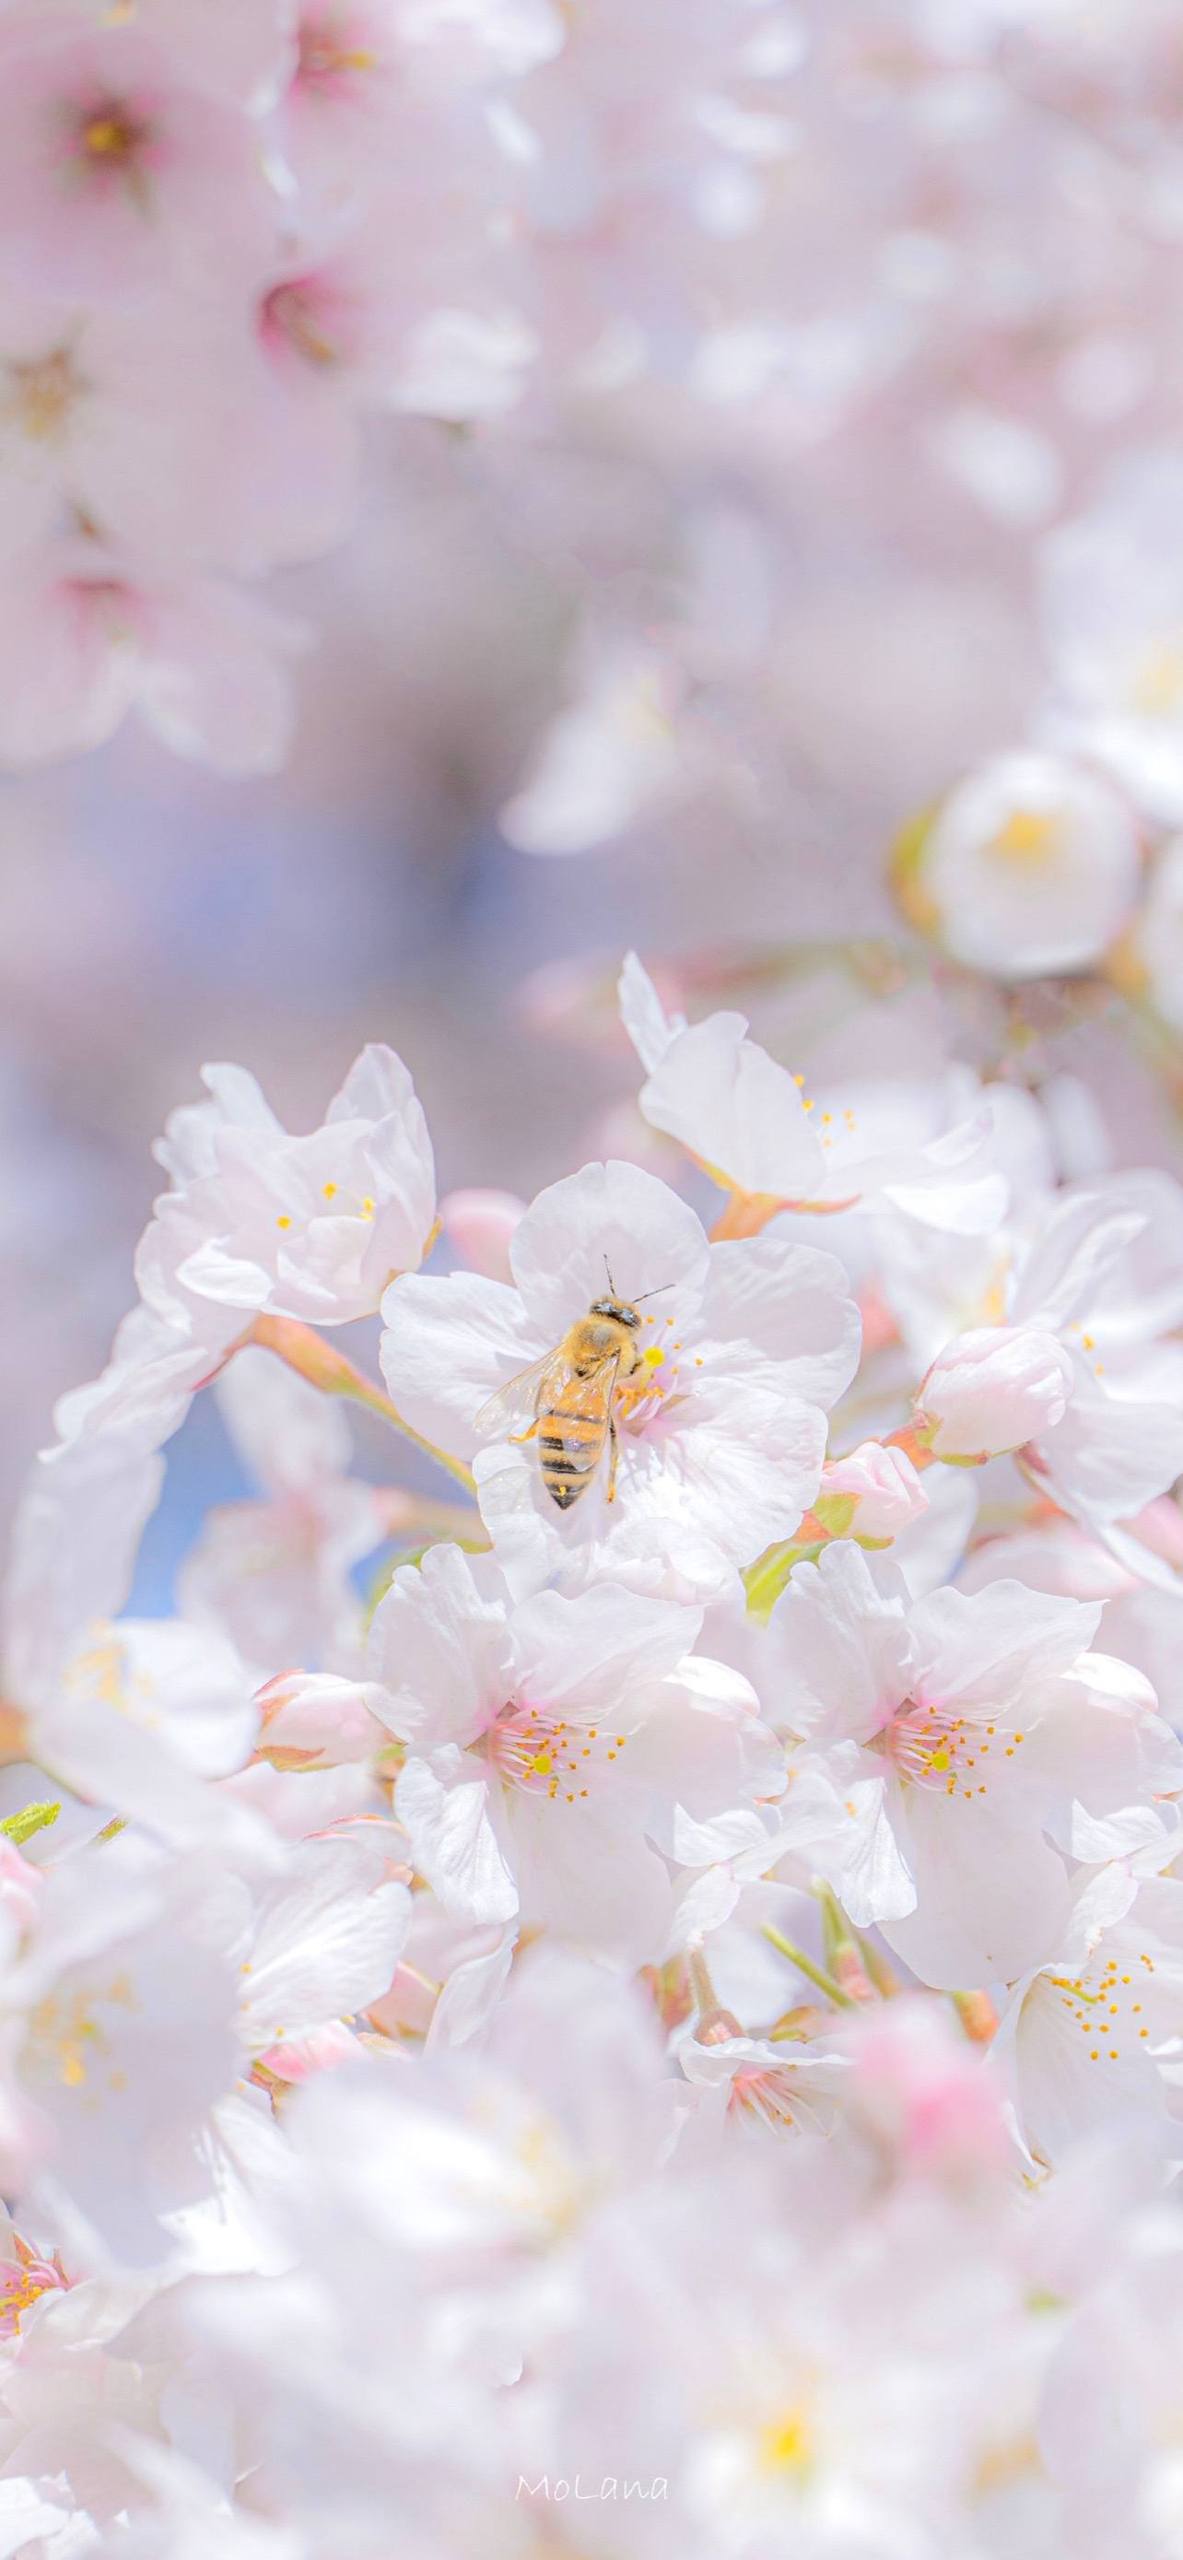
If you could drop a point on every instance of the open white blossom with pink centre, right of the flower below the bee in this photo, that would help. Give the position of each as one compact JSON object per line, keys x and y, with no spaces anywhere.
{"x":977,"y":1750}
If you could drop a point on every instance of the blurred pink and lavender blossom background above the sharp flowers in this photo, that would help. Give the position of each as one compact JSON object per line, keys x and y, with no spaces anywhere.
{"x":572,"y":506}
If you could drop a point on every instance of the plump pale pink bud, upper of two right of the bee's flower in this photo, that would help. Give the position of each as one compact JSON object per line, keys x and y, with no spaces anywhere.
{"x":992,"y":1391}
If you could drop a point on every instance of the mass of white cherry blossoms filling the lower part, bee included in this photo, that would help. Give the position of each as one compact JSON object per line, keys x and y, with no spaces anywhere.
{"x":618,"y":1993}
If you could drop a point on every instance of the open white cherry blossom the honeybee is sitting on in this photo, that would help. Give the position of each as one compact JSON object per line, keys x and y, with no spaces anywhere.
{"x":741,"y":1350}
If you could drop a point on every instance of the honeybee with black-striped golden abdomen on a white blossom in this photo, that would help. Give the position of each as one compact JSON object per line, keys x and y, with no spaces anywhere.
{"x":572,"y":1394}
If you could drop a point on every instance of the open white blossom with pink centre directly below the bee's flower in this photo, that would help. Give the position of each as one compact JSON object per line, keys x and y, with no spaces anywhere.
{"x":562,"y":1755}
